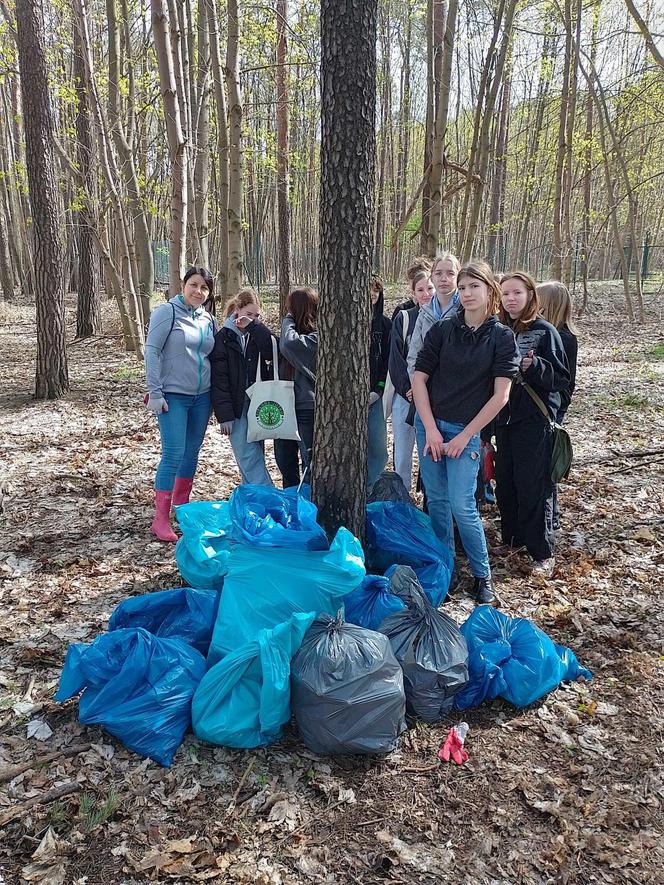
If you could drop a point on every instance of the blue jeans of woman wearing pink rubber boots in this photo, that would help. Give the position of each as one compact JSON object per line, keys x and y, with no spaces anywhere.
{"x":182,"y":430}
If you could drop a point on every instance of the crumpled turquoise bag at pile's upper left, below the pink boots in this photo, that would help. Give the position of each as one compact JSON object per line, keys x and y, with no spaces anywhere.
{"x":202,"y":551}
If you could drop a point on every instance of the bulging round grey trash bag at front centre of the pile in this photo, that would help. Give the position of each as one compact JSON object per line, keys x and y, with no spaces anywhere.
{"x":347,"y":689}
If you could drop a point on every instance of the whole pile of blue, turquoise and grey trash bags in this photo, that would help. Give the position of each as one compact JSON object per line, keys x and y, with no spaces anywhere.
{"x":286,"y":624}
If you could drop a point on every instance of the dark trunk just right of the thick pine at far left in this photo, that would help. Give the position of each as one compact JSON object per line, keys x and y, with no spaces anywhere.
{"x":88,"y":306}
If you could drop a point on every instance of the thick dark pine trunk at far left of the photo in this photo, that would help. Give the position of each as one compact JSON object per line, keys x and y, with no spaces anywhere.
{"x":52,"y":379}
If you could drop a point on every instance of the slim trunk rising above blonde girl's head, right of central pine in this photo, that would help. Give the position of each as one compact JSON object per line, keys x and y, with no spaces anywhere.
{"x":440,"y":133}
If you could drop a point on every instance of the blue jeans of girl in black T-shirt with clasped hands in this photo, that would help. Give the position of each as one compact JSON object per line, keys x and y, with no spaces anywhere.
{"x":450,"y":485}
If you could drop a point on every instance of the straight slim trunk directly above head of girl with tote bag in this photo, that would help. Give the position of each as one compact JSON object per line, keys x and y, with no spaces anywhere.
{"x":235,"y":259}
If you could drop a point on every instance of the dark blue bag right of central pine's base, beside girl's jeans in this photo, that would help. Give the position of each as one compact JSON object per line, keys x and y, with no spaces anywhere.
{"x":400,"y":534}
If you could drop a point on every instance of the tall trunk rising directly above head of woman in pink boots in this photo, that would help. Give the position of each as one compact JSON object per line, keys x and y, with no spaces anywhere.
{"x":176,"y":143}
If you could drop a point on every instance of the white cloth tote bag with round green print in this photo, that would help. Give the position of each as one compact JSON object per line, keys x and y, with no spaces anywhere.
{"x":271,"y":412}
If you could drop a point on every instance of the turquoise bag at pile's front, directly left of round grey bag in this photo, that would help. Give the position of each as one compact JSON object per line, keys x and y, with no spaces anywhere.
{"x":244,"y":700}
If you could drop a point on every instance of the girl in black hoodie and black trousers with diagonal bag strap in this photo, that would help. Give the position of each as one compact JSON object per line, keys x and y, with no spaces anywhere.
{"x":523,"y":462}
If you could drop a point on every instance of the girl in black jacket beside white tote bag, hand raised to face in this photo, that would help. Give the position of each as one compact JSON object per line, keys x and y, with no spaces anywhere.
{"x":243,"y":350}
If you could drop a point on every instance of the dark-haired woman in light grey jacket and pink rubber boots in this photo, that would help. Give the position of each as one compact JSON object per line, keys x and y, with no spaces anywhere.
{"x":177,"y":368}
